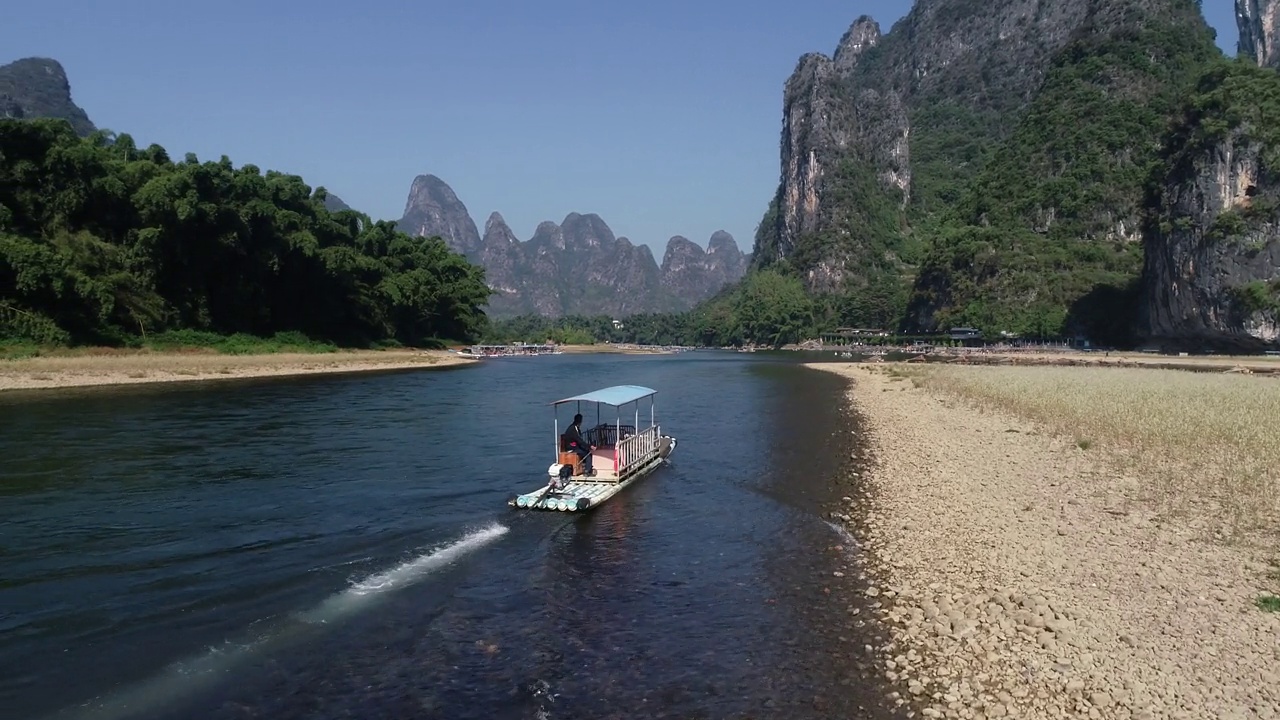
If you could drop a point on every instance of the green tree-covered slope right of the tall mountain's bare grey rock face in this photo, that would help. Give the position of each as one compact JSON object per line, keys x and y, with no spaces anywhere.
{"x":1046,"y":238}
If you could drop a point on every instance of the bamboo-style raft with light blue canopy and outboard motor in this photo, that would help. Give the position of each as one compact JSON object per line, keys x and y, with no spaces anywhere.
{"x":621,"y":454}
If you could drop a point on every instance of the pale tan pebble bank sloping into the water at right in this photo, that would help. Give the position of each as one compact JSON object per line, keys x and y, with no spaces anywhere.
{"x":1021,"y":577}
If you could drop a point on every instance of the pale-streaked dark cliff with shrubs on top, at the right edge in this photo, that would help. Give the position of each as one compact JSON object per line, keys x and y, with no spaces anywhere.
{"x":1213,"y":247}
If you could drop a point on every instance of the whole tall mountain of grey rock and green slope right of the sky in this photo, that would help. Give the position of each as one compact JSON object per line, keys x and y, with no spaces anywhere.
{"x":982,"y":165}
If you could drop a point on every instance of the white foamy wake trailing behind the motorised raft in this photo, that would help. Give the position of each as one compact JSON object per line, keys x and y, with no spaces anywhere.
{"x":189,"y":676}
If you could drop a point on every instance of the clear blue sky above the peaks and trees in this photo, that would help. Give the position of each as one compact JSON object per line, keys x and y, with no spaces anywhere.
{"x":662,"y":117}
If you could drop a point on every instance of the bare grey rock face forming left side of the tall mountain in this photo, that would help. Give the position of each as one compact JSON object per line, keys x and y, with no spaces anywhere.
{"x":888,"y":113}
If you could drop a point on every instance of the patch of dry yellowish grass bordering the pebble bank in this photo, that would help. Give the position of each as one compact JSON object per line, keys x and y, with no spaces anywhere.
{"x":1205,"y":448}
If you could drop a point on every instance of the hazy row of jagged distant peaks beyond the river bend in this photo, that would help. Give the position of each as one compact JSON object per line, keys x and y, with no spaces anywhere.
{"x":577,"y":267}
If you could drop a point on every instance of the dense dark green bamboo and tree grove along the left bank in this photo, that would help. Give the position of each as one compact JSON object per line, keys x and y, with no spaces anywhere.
{"x":103,"y":243}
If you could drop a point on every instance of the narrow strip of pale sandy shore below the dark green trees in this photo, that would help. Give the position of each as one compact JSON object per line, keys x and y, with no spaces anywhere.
{"x":56,"y":372}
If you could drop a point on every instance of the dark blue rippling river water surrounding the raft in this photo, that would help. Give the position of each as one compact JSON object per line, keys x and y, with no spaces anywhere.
{"x":341,"y":548}
